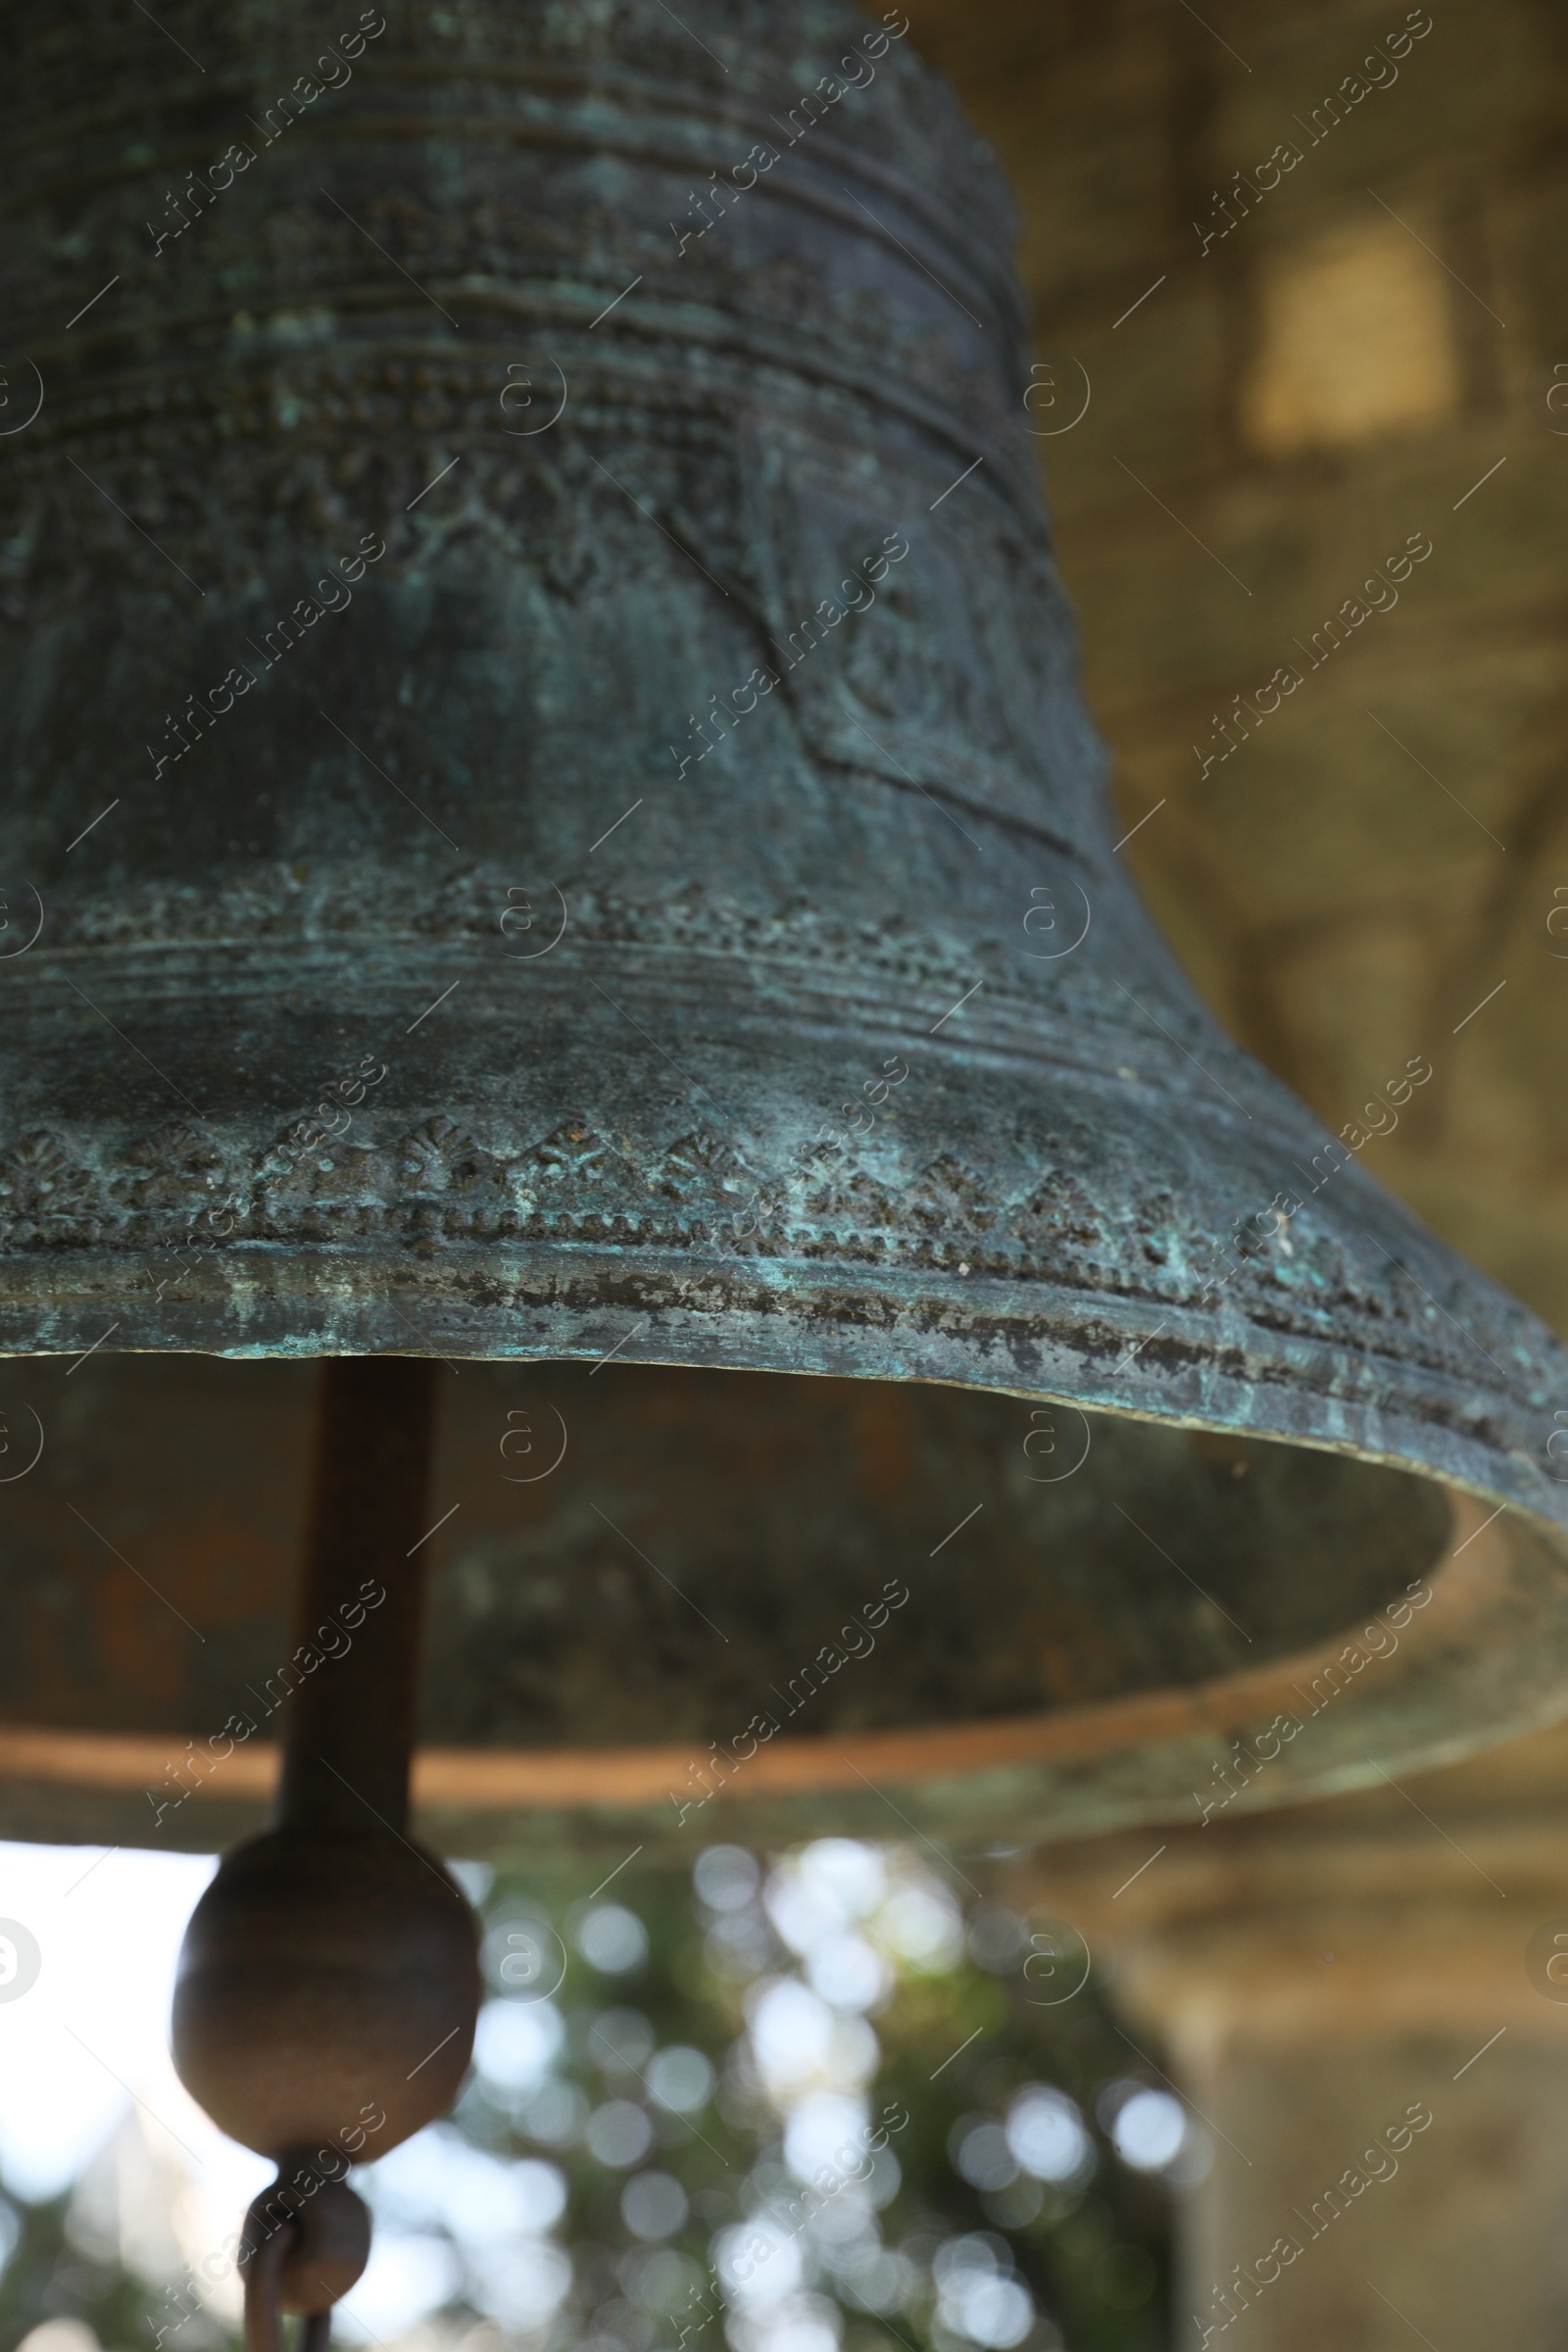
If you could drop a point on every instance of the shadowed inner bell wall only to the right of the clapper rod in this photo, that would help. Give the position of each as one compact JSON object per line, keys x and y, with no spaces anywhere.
{"x":869,"y":1556}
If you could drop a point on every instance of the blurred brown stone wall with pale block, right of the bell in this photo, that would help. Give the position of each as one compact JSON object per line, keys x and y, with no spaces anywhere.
{"x":1315,"y":326}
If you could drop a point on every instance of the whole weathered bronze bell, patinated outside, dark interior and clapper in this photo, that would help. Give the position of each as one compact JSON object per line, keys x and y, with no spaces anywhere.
{"x":551,"y":829}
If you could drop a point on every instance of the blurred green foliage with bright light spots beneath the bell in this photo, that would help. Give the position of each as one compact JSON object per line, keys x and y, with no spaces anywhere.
{"x":838,"y":1986}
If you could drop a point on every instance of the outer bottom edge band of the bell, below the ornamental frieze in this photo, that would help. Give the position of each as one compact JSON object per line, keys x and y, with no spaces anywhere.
{"x":824,"y":1318}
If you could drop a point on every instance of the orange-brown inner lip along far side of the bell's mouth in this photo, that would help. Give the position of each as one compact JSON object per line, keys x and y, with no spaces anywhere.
{"x":1052,"y":1775}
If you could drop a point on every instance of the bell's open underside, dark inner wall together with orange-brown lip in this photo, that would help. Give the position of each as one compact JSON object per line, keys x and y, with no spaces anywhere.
{"x":674,"y":1603}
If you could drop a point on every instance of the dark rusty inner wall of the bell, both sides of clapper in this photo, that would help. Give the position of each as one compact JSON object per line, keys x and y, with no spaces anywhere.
{"x":631,"y":1556}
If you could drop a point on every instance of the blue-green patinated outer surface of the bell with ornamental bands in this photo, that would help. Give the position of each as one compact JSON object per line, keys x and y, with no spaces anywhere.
{"x":608,"y":853}
